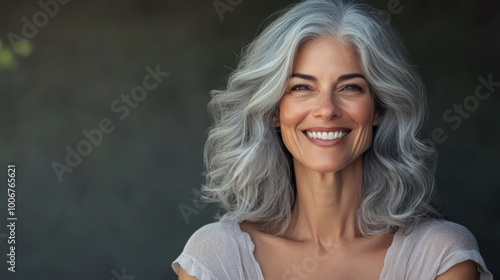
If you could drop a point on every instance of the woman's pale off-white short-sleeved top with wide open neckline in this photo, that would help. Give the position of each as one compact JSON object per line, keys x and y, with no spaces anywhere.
{"x":222,"y":251}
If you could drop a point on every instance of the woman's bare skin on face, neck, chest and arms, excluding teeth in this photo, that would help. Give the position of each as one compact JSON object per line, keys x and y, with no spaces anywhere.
{"x":327,"y":91}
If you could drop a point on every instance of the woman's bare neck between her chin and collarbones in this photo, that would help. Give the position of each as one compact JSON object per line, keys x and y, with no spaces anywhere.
{"x":326,"y":204}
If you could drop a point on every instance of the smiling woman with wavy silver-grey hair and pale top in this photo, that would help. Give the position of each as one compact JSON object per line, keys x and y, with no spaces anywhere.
{"x":315,"y":158}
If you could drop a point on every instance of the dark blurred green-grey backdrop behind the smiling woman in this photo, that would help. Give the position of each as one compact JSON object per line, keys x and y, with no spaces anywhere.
{"x":120,"y":207}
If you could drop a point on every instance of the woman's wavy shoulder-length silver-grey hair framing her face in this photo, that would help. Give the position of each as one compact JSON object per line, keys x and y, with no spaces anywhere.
{"x":249,"y":171}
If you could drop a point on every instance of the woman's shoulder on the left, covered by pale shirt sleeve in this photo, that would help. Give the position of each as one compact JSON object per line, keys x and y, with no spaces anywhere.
{"x":216,"y":251}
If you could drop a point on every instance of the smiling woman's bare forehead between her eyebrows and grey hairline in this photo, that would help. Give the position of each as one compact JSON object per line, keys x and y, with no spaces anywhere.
{"x":327,"y":53}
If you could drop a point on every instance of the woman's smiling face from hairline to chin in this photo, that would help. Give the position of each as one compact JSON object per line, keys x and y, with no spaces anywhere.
{"x":327,"y":113}
